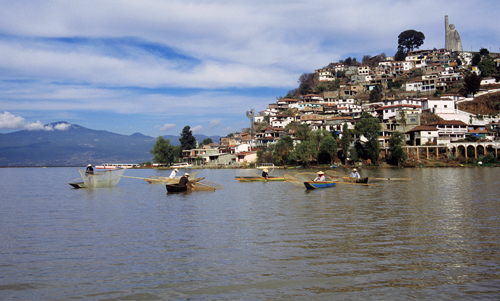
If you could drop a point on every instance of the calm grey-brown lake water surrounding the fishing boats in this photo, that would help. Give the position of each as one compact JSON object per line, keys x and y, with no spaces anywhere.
{"x":435,"y":237}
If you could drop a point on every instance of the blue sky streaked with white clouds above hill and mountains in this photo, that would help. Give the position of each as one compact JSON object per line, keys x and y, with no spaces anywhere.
{"x":155,"y":66}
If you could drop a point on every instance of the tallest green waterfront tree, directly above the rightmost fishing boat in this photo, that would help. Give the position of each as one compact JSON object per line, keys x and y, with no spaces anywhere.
{"x":369,"y":127}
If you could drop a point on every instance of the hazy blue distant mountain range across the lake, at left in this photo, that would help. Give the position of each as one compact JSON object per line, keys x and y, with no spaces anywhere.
{"x":65,"y":144}
